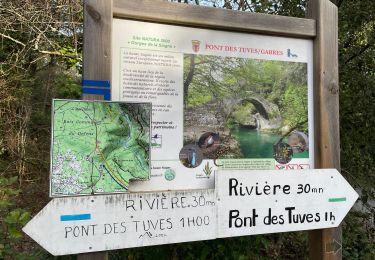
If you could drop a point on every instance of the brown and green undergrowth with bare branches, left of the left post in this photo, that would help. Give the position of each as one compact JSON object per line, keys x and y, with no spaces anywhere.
{"x":40,"y":57}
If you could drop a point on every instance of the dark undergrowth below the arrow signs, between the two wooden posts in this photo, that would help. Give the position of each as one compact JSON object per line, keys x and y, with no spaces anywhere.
{"x":275,"y":246}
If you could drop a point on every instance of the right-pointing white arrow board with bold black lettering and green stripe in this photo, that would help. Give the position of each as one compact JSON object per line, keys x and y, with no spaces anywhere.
{"x":260,"y":202}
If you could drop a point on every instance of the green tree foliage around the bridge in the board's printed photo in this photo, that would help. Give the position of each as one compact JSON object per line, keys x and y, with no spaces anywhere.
{"x":216,"y":78}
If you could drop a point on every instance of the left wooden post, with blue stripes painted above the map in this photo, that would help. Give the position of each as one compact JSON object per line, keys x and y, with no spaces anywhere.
{"x":97,"y":54}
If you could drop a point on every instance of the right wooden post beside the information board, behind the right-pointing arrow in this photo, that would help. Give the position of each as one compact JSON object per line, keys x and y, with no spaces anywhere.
{"x":326,"y":243}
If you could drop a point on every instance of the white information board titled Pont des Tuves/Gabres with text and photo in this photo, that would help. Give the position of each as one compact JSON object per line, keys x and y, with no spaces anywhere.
{"x":220,"y":100}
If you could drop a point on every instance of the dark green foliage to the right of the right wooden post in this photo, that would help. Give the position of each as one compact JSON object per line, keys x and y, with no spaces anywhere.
{"x":357,"y":121}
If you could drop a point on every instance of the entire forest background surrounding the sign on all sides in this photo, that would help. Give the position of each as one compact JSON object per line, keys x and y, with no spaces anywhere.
{"x":41,"y":59}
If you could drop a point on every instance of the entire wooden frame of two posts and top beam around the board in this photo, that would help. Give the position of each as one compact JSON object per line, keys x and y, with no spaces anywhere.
{"x":321,"y":26}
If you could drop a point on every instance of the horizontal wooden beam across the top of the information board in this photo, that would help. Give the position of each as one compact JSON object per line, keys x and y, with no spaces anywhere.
{"x":214,"y":18}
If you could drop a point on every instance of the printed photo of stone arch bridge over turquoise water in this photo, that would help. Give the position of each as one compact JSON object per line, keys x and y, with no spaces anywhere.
{"x":249,"y":105}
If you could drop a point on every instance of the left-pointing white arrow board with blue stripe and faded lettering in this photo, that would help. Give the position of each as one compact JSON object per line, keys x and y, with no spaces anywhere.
{"x":96,"y":223}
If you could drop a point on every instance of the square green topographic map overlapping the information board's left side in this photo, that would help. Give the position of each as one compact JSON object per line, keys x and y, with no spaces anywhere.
{"x":98,"y":147}
